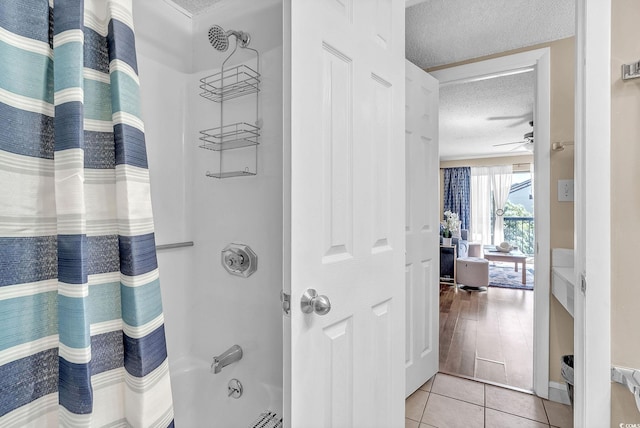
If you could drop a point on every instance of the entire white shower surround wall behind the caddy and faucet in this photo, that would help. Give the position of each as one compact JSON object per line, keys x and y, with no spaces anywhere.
{"x":206,"y":309}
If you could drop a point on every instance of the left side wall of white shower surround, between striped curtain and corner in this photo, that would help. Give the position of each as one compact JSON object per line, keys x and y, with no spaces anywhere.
{"x":163,"y":92}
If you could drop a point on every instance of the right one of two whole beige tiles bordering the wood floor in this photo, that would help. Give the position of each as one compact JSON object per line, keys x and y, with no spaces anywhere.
{"x":515,"y":403}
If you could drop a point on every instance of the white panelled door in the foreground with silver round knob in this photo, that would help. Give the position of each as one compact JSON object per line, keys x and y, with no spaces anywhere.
{"x":346,"y":213}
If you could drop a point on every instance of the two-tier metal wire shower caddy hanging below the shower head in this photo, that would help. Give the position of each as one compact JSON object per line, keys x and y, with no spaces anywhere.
{"x":223,"y":86}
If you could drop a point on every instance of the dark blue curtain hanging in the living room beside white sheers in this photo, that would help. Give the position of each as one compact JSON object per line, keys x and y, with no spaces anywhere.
{"x":457,"y":193}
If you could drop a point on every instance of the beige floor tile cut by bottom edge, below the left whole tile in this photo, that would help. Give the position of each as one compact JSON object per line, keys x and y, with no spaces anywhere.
{"x":445,"y":412}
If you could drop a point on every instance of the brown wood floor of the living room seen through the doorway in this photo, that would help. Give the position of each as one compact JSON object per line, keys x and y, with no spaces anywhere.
{"x":487,"y":335}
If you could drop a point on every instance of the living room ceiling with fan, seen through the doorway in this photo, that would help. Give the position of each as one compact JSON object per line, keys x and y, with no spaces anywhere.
{"x":475,"y":116}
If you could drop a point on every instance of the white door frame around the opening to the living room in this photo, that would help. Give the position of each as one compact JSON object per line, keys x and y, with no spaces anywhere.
{"x":538,"y":60}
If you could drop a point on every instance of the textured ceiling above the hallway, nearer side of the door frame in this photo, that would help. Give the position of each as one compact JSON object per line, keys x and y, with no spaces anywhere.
{"x":442,"y":32}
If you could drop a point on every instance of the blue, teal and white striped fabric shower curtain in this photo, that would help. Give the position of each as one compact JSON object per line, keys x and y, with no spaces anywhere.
{"x":82,"y":339}
